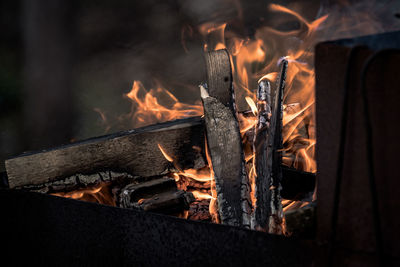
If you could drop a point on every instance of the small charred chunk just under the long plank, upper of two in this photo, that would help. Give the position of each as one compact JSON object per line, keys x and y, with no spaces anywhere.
{"x":132,"y":193}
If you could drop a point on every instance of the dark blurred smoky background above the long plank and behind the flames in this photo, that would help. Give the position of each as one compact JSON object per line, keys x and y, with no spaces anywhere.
{"x":59,"y":60}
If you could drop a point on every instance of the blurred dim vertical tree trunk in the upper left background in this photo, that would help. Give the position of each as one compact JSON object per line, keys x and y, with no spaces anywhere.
{"x":49,"y":44}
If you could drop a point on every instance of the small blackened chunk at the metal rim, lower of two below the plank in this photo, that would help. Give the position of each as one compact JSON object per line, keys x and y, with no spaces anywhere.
{"x":167,"y":202}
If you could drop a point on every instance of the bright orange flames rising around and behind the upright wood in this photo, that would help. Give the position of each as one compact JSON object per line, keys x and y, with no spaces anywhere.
{"x":255,"y":59}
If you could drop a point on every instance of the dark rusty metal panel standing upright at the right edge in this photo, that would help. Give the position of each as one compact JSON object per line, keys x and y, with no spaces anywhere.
{"x":358,"y":183}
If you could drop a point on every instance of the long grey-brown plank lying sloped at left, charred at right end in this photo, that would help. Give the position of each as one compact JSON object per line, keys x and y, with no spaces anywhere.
{"x":121,"y":152}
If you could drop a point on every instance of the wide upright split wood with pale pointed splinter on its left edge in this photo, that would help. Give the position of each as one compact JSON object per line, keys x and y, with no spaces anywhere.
{"x":224,"y":141}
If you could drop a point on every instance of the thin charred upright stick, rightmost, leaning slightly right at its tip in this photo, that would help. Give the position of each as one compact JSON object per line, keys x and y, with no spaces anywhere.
{"x":274,"y":153}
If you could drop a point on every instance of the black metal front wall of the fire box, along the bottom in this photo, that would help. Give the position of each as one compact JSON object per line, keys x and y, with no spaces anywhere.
{"x":47,"y":230}
